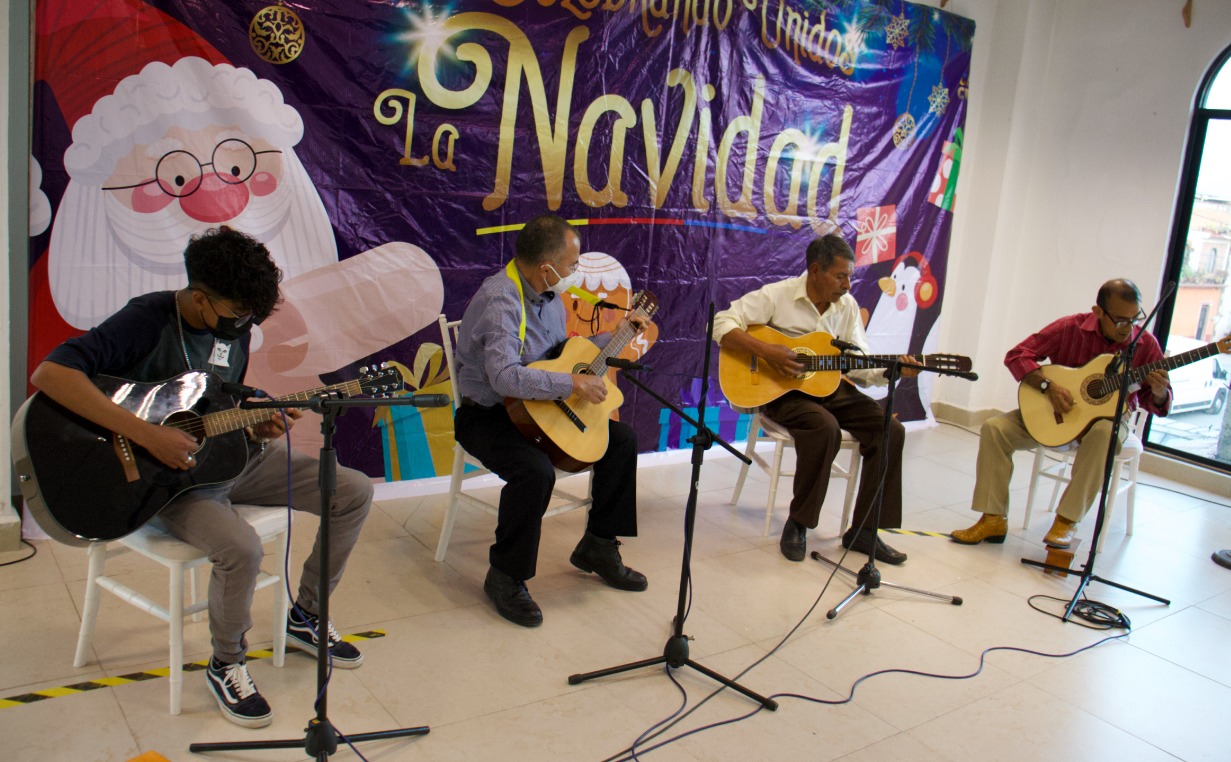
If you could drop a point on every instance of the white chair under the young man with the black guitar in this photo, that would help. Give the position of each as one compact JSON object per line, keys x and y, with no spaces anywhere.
{"x":180,"y":558}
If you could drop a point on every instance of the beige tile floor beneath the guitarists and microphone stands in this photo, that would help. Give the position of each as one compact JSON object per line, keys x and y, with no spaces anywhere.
{"x":494,"y":691}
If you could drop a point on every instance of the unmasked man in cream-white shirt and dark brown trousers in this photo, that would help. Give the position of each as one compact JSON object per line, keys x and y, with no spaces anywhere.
{"x":820,"y":301}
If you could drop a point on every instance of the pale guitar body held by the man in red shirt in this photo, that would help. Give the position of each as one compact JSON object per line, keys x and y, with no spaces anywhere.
{"x":1090,"y":404}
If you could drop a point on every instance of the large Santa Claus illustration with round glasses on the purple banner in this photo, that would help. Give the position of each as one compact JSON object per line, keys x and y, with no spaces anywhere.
{"x":188,"y":143}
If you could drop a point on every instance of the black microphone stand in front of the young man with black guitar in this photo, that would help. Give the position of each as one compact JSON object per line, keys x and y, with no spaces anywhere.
{"x":321,"y":738}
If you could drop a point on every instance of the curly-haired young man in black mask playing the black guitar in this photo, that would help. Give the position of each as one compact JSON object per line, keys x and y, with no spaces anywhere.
{"x":233,"y":285}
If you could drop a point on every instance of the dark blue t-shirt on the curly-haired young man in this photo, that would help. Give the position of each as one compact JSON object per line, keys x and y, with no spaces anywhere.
{"x":142,"y":343}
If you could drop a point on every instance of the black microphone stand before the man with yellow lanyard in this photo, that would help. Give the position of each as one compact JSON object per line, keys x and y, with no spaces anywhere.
{"x":675,"y":654}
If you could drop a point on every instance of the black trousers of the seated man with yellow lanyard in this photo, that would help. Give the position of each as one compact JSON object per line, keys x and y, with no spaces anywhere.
{"x":491,"y":436}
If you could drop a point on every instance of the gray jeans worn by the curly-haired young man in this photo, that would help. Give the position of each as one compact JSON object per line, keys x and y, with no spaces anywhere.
{"x":206,"y":520}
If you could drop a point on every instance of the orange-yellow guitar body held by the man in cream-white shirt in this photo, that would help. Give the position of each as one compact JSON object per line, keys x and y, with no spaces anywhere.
{"x":749,"y":383}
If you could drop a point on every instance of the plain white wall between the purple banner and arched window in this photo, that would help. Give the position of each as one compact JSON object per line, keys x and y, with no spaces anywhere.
{"x":1079,"y":114}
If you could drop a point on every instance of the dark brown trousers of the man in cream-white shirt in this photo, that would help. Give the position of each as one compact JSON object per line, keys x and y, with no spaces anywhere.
{"x":817,"y":425}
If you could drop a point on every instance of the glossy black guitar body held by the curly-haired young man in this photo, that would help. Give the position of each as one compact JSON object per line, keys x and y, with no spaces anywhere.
{"x":84,"y":484}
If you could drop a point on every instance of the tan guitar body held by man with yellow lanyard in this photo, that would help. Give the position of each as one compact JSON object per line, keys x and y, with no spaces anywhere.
{"x":573,"y":433}
